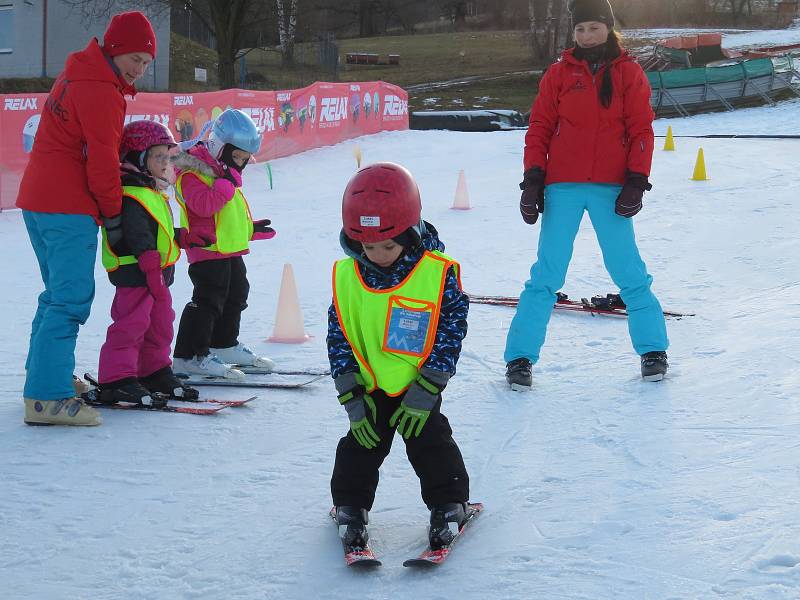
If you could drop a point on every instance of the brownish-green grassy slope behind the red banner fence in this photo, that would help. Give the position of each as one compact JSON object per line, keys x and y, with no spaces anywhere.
{"x":423,"y":59}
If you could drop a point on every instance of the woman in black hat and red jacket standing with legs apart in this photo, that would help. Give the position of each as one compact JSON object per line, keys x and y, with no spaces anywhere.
{"x":588,"y":148}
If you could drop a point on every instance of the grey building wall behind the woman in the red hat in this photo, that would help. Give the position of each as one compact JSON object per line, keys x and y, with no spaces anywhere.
{"x":67,"y":32}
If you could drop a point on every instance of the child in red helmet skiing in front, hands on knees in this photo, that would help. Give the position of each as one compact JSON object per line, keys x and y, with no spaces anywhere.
{"x":394,"y":336}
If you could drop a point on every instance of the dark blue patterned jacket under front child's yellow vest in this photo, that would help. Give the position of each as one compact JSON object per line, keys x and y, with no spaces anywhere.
{"x":452,"y":326}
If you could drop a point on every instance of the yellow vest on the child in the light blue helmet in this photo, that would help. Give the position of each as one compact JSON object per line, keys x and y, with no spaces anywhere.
{"x":233,"y":224}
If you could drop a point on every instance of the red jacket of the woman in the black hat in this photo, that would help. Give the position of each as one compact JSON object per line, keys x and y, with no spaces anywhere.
{"x":575,"y":139}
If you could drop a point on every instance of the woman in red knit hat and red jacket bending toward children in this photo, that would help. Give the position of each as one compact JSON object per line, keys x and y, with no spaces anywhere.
{"x":70,"y":185}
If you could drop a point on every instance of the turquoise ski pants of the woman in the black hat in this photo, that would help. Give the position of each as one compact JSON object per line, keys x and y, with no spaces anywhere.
{"x":564,"y":206}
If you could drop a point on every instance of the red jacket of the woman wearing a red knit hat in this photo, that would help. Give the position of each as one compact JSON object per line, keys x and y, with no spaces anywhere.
{"x":74,"y":165}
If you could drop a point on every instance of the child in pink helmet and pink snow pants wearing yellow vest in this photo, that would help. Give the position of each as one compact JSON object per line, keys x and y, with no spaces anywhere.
{"x":139,"y":251}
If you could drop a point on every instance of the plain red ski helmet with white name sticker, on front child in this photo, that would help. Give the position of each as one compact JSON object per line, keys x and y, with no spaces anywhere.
{"x":380,"y":202}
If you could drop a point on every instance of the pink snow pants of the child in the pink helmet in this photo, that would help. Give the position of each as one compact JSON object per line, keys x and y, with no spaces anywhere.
{"x":138,"y":341}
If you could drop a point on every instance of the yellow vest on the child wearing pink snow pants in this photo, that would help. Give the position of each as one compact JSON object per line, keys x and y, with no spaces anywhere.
{"x":157,"y":205}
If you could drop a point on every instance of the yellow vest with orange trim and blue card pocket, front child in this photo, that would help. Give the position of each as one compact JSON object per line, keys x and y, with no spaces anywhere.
{"x":391,"y":331}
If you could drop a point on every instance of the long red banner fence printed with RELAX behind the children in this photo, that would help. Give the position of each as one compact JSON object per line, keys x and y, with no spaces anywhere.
{"x":292,"y":120}
